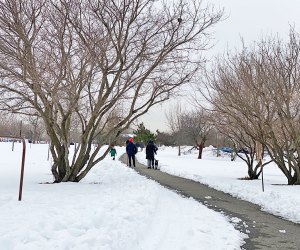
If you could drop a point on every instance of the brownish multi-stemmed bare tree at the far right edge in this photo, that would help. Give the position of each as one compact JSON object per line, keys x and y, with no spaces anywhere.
{"x":258,"y":89}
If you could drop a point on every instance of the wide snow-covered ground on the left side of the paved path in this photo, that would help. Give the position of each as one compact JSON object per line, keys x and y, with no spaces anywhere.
{"x":113,"y":208}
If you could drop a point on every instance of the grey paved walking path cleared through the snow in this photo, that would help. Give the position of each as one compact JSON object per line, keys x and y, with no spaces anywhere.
{"x":265,"y":231}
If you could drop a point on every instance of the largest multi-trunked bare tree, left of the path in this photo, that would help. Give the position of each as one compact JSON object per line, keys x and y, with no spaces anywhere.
{"x":77,"y":60}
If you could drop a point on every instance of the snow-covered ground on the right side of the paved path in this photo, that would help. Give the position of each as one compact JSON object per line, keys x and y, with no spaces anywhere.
{"x":223,"y":174}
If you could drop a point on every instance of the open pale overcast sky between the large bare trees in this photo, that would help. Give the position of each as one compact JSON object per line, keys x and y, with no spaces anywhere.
{"x":250,"y":19}
